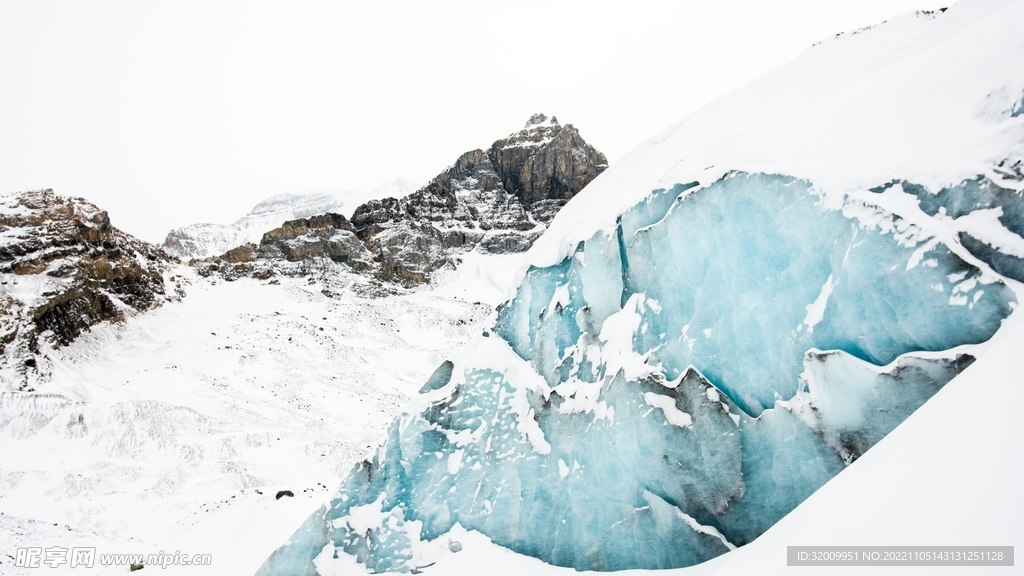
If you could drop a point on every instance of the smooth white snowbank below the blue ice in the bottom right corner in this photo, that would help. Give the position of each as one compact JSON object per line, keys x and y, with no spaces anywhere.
{"x":957,"y":443}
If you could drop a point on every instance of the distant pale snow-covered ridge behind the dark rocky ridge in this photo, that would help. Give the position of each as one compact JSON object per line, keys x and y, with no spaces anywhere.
{"x":203,"y":240}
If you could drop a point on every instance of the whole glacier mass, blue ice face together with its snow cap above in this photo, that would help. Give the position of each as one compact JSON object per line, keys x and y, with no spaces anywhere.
{"x":723,"y":322}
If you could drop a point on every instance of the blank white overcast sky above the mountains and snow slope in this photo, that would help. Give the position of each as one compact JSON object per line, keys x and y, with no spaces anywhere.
{"x":169,"y":113}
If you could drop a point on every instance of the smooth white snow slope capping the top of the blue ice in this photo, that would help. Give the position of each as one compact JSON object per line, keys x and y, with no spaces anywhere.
{"x":934,"y":98}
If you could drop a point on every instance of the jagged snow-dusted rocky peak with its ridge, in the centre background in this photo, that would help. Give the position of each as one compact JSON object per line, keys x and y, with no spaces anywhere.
{"x":498,"y":201}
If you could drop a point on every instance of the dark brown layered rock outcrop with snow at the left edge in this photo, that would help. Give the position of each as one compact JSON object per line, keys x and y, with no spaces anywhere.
{"x":63,"y":269}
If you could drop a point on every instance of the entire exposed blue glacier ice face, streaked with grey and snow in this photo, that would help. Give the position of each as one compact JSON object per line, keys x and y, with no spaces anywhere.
{"x":672,"y":389}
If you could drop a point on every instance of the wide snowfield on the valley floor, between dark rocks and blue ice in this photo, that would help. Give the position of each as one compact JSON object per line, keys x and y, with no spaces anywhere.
{"x":176,"y":430}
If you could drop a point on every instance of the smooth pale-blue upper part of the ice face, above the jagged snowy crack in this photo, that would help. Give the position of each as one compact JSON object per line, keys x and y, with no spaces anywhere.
{"x":734,"y":271}
